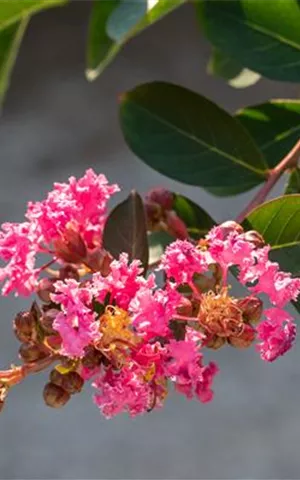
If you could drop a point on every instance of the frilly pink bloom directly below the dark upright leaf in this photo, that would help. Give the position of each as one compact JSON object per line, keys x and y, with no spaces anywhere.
{"x":122,"y":283}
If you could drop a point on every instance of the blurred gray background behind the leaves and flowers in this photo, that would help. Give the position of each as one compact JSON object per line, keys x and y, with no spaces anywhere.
{"x":56,"y":124}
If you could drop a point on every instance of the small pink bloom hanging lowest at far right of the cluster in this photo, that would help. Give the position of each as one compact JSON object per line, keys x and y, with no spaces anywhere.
{"x":277,"y":334}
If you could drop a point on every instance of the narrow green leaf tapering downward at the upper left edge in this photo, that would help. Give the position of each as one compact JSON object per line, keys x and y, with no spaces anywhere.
{"x":10,"y":39}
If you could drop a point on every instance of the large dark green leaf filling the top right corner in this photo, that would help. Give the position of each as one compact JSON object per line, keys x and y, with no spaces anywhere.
{"x":263,"y":35}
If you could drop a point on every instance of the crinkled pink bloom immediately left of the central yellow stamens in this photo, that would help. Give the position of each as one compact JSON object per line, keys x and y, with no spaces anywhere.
{"x":76,"y":323}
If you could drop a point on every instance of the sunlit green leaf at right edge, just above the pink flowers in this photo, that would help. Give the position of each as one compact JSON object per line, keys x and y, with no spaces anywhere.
{"x":278,"y":221}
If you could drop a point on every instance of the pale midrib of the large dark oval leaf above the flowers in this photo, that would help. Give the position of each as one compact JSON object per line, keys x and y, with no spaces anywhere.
{"x":199,"y":141}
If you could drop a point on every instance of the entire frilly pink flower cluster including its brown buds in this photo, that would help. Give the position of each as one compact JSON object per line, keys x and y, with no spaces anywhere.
{"x":130,"y":337}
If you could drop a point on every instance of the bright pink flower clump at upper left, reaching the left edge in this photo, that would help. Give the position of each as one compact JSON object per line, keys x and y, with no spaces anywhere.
{"x":73,"y":212}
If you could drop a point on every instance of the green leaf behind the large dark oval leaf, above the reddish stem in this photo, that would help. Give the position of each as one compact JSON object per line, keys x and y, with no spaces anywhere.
{"x":275,"y":126}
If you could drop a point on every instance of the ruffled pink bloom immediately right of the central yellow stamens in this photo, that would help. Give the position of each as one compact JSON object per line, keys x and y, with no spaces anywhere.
{"x":152,"y":311}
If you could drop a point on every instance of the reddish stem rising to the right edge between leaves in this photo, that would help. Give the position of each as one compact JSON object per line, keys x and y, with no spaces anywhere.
{"x":289,"y":161}
